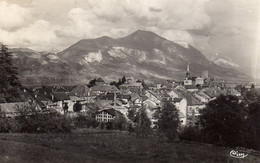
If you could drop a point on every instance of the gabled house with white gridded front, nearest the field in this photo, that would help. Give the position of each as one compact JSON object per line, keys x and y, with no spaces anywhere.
{"x":107,"y":115}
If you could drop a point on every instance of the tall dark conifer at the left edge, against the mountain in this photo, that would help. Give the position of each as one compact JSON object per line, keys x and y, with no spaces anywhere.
{"x":9,"y":83}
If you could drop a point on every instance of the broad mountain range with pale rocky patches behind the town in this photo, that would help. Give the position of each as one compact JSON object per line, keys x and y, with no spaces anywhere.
{"x":142,"y":55}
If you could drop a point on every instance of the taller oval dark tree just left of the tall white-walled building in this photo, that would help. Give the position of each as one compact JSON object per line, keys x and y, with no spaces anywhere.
{"x":168,"y":121}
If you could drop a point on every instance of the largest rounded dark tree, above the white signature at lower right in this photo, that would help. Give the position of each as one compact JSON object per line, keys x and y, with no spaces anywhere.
{"x":222,"y":121}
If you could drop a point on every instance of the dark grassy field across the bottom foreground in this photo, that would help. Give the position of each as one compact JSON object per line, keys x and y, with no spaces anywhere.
{"x":92,"y":146}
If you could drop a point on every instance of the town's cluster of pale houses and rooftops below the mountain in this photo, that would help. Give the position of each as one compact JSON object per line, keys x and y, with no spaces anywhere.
{"x":108,"y":101}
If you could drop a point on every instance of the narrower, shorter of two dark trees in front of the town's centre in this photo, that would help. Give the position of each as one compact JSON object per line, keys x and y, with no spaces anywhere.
{"x":143,"y":123}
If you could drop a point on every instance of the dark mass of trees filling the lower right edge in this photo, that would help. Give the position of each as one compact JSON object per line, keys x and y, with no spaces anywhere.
{"x":228,"y":121}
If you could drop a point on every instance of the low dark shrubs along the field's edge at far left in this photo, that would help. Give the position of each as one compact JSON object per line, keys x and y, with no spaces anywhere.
{"x":31,"y":120}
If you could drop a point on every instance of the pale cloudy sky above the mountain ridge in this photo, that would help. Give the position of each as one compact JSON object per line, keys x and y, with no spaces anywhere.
{"x":228,"y":29}
